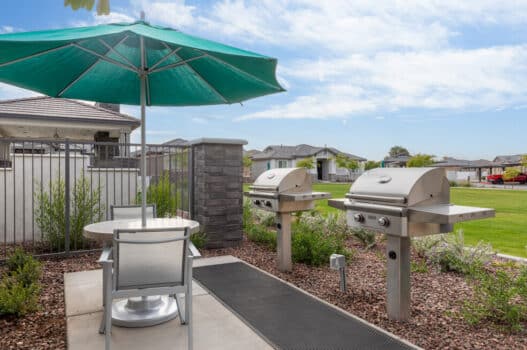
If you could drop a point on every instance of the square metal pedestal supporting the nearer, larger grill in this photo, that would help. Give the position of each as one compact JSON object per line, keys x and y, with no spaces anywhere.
{"x":398,"y":277}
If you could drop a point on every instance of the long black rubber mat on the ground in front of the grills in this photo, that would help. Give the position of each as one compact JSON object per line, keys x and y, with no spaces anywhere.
{"x":286,"y":317}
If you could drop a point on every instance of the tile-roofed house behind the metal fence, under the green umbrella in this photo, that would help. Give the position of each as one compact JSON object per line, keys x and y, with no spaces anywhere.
{"x":48,"y":118}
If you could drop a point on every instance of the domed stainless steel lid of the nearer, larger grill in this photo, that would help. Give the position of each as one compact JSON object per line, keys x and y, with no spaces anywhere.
{"x":401,"y":186}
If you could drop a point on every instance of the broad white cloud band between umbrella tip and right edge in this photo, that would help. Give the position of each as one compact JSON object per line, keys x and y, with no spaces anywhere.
{"x":390,"y":81}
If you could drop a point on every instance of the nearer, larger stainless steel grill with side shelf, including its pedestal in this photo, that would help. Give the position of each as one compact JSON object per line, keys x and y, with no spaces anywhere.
{"x":403,"y":203}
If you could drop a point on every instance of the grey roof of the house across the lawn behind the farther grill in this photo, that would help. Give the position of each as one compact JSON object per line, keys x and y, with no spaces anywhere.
{"x":298,"y":151}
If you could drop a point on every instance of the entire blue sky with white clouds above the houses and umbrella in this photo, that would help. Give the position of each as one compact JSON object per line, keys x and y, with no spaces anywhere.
{"x":444,"y":77}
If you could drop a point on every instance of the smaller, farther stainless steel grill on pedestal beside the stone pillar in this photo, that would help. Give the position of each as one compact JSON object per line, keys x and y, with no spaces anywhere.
{"x":284,"y":191}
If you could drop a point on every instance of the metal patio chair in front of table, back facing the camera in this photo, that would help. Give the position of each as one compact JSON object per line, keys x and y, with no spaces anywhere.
{"x":146,"y":262}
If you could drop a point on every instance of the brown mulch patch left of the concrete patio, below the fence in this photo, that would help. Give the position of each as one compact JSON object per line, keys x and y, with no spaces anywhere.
{"x":46,"y":328}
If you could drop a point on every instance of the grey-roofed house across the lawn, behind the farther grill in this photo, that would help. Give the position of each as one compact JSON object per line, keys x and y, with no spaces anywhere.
{"x":280,"y":156}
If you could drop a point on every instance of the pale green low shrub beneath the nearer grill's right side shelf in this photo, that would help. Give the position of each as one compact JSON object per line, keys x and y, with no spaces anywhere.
{"x":451,"y":254}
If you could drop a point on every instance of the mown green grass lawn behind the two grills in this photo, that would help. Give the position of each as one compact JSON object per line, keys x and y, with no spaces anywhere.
{"x":507,"y":232}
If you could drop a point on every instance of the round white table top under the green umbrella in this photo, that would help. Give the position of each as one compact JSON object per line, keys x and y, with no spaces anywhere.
{"x":103,"y":231}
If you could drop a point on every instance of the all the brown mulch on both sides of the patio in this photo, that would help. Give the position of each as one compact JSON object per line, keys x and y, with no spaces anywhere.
{"x":436,"y":301}
